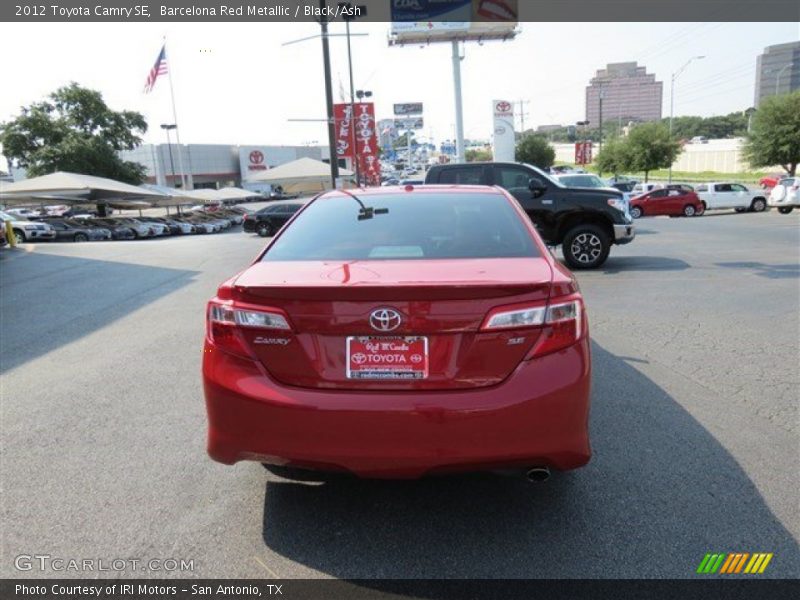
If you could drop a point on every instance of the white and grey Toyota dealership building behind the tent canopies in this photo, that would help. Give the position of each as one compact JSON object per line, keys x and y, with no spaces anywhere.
{"x":216,"y":165}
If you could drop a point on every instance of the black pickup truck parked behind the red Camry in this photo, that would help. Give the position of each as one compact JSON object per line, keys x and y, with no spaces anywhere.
{"x":585,"y":221}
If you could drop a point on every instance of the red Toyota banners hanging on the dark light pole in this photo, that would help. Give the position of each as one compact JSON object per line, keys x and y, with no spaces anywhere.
{"x":358,"y":129}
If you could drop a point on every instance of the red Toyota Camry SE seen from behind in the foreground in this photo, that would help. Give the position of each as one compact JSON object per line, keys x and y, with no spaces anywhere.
{"x":394,"y":333}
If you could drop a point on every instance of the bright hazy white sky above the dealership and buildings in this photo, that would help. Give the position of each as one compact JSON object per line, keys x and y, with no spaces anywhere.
{"x":236,"y":83}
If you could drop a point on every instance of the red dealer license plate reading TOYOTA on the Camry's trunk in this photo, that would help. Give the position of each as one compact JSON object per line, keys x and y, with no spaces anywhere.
{"x":387,"y":357}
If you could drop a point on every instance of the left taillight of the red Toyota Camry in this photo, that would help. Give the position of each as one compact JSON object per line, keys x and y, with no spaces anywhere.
{"x":226,"y":320}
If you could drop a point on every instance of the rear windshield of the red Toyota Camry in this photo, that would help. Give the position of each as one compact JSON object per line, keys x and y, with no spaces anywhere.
{"x":405,"y":226}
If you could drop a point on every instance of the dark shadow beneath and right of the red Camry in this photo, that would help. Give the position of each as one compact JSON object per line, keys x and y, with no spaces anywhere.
{"x":659,"y":493}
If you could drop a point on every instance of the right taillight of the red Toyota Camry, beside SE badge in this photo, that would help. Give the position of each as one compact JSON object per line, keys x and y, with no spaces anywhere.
{"x":561,"y":323}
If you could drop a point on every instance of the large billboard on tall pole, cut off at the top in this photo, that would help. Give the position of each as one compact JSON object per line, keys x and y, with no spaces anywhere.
{"x":427,"y":21}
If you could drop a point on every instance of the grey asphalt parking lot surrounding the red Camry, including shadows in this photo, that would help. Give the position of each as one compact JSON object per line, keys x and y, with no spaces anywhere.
{"x":694,"y":425}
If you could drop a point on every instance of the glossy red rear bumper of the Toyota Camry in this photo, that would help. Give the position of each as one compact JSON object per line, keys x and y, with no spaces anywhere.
{"x":538,"y":416}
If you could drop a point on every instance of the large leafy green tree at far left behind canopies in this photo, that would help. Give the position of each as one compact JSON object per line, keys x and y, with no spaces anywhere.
{"x":74,"y":130}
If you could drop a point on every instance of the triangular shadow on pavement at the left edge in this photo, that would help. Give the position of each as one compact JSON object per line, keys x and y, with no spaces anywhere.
{"x":41,"y":310}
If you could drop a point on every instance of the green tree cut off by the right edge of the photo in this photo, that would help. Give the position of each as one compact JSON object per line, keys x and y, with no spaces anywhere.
{"x":775,"y":134}
